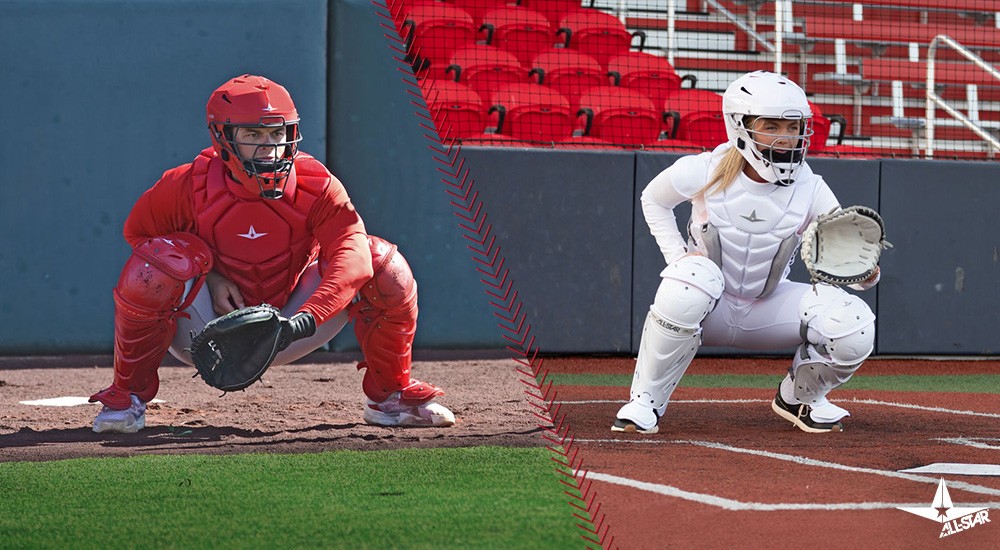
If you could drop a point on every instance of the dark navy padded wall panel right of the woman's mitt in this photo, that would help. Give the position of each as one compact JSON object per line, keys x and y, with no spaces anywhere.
{"x":941,"y":286}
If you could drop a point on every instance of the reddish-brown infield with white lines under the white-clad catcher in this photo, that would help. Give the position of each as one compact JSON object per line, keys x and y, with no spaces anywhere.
{"x":726,"y":472}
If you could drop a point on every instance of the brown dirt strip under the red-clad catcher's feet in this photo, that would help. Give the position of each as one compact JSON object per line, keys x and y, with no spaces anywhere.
{"x":312,"y":405}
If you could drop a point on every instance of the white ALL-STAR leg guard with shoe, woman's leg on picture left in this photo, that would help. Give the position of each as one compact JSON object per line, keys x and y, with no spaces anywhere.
{"x":671,"y":336}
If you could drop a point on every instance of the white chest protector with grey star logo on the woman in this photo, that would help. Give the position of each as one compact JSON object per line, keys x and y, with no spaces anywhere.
{"x":752,"y":230}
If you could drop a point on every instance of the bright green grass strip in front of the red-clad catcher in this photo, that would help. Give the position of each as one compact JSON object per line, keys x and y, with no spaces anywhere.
{"x":478,"y":497}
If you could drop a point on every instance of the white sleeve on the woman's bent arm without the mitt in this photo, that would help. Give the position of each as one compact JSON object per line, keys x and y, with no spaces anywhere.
{"x":661,"y":196}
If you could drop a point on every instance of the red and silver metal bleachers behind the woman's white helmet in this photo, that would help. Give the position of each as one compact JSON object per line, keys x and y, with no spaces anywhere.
{"x":784,"y":27}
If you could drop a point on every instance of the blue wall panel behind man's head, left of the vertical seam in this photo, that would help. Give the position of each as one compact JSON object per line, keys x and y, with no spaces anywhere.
{"x":106,"y":95}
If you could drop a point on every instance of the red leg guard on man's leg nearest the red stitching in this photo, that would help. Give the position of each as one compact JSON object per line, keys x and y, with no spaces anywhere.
{"x":385,"y":321}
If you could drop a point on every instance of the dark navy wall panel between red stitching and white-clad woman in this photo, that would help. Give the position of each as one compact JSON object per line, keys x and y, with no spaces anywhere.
{"x":563,"y":220}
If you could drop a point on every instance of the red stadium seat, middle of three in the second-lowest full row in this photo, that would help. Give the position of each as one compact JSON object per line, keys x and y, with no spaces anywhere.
{"x":570,"y":73}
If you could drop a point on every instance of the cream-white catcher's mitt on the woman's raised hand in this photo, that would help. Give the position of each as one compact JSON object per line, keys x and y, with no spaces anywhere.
{"x":844,"y":246}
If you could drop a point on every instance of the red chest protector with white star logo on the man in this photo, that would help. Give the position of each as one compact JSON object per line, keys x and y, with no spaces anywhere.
{"x":262,"y":245}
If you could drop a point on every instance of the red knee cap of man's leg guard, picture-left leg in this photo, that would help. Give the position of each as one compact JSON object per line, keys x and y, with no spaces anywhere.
{"x":153,"y":278}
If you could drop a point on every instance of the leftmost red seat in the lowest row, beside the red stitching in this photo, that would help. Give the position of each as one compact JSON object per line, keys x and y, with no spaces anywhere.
{"x":457,"y":110}
